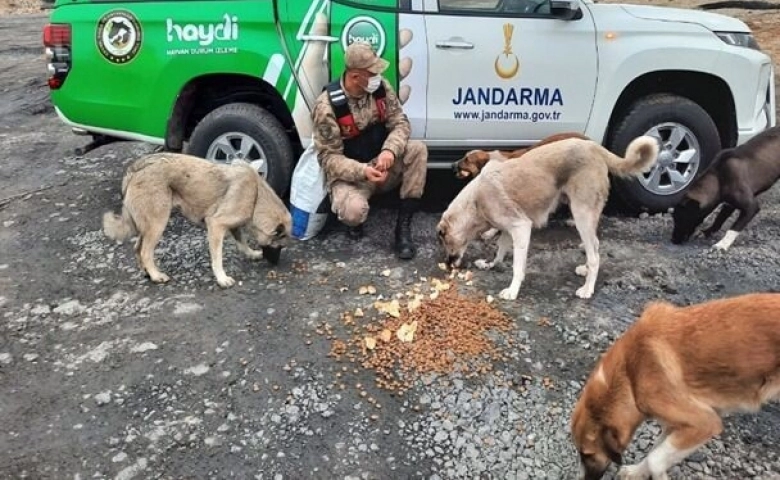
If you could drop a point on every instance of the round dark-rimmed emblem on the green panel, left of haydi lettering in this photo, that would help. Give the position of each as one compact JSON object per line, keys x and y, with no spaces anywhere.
{"x":118,"y":36}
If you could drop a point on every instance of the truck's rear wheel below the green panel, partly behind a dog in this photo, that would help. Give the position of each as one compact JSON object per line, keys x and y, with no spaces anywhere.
{"x":246,"y":131}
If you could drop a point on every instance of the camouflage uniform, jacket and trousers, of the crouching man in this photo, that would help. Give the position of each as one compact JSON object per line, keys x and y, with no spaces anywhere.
{"x":345,"y":177}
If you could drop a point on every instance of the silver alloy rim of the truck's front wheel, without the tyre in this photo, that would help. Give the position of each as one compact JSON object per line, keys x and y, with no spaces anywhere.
{"x":679,"y":157}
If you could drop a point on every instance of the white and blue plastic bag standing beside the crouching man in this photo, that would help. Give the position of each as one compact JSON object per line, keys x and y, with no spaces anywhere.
{"x":309,"y":202}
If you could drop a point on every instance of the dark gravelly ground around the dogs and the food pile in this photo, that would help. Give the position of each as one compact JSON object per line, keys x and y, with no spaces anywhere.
{"x":104,"y":375}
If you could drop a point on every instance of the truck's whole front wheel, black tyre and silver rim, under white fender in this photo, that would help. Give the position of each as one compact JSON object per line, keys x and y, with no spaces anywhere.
{"x":688,"y":139}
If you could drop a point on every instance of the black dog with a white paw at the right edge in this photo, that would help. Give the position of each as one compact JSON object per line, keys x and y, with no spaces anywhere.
{"x":735,"y":178}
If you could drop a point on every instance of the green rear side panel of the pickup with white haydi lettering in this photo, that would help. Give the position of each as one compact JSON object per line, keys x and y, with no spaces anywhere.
{"x":136,"y":92}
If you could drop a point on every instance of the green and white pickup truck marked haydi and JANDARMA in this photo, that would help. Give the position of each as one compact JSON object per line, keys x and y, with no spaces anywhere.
{"x":236,"y":78}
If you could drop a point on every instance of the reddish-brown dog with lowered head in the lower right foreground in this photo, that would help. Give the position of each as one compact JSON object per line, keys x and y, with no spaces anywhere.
{"x":683,"y":367}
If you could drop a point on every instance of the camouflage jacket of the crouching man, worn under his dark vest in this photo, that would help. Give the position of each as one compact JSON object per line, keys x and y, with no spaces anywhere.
{"x":327,"y":134}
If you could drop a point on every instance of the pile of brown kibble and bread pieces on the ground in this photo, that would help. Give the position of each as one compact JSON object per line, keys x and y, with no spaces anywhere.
{"x":430,"y":329}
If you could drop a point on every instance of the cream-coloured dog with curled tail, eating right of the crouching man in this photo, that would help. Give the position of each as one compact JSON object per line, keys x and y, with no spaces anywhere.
{"x":514,"y":197}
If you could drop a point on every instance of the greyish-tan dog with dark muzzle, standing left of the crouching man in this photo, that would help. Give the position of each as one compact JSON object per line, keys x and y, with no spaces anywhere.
{"x":222,"y":197}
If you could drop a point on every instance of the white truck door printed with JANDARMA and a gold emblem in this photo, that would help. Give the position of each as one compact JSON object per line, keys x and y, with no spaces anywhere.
{"x":507,"y":72}
